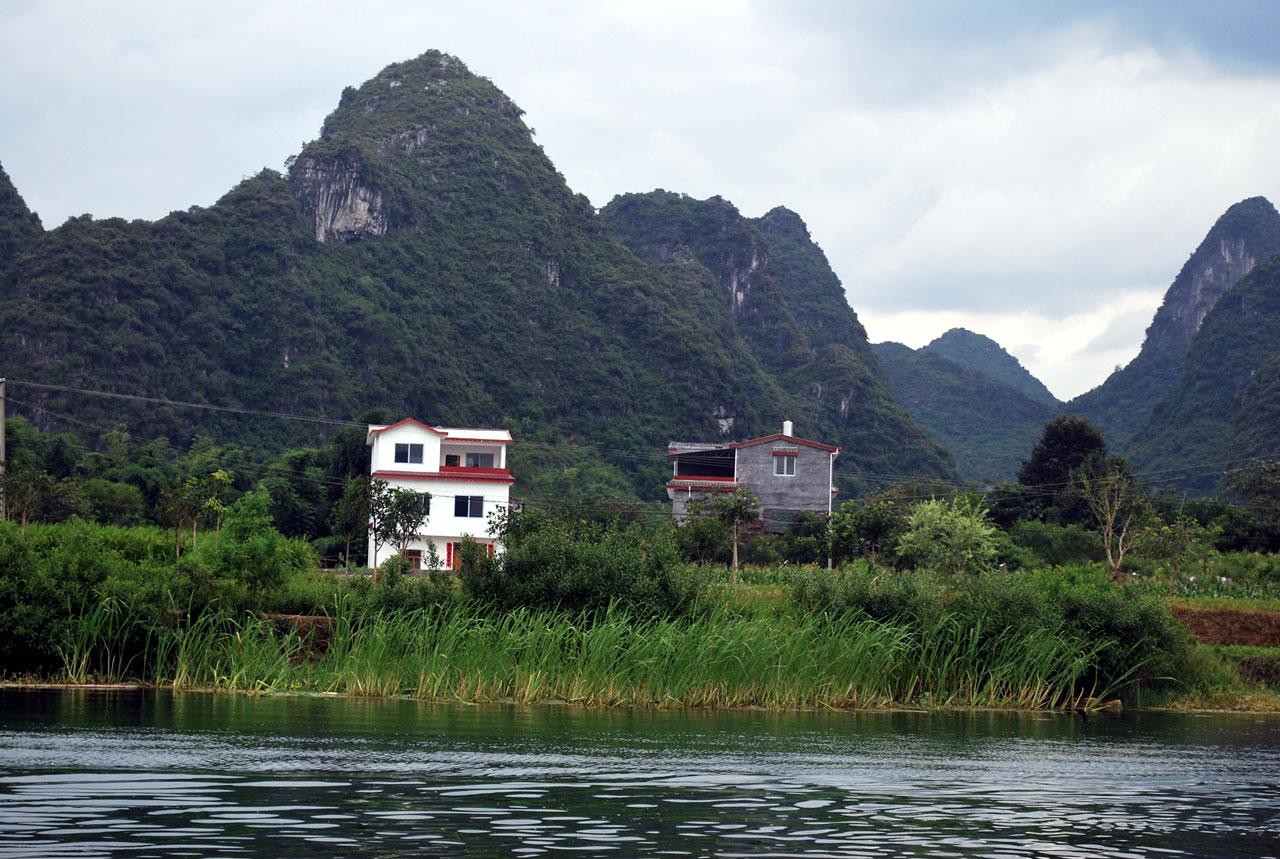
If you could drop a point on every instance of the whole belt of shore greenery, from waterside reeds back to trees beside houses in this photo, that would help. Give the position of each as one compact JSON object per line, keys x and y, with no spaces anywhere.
{"x":931,"y":600}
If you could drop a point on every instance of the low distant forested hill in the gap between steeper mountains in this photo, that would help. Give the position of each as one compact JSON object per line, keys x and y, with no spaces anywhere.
{"x":986,"y":422}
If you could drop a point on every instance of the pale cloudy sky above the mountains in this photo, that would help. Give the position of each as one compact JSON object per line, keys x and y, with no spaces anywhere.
{"x":1034,"y":172}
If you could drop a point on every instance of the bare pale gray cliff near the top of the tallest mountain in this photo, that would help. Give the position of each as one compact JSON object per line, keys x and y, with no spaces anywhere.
{"x":336,"y":202}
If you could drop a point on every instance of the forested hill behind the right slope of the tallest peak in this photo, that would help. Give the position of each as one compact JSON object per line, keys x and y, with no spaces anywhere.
{"x":779,"y":295}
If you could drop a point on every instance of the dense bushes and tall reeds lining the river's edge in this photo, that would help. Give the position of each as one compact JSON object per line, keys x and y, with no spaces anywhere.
{"x":623,"y":623}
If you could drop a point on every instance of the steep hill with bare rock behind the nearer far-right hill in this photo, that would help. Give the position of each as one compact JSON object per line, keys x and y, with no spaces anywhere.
{"x":1244,"y":237}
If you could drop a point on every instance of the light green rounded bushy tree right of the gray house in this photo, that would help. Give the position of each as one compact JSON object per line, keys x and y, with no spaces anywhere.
{"x":949,"y":537}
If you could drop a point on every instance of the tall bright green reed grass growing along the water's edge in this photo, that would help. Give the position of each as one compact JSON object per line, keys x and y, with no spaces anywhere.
{"x":612,"y":659}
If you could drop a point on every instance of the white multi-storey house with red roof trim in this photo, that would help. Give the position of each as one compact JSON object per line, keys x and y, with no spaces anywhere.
{"x":464,"y":470}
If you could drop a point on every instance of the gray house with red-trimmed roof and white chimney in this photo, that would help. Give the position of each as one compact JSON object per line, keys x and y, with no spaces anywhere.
{"x":788,"y":474}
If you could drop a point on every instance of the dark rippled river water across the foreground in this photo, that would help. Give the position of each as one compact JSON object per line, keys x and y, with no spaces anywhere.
{"x":154,"y":774}
